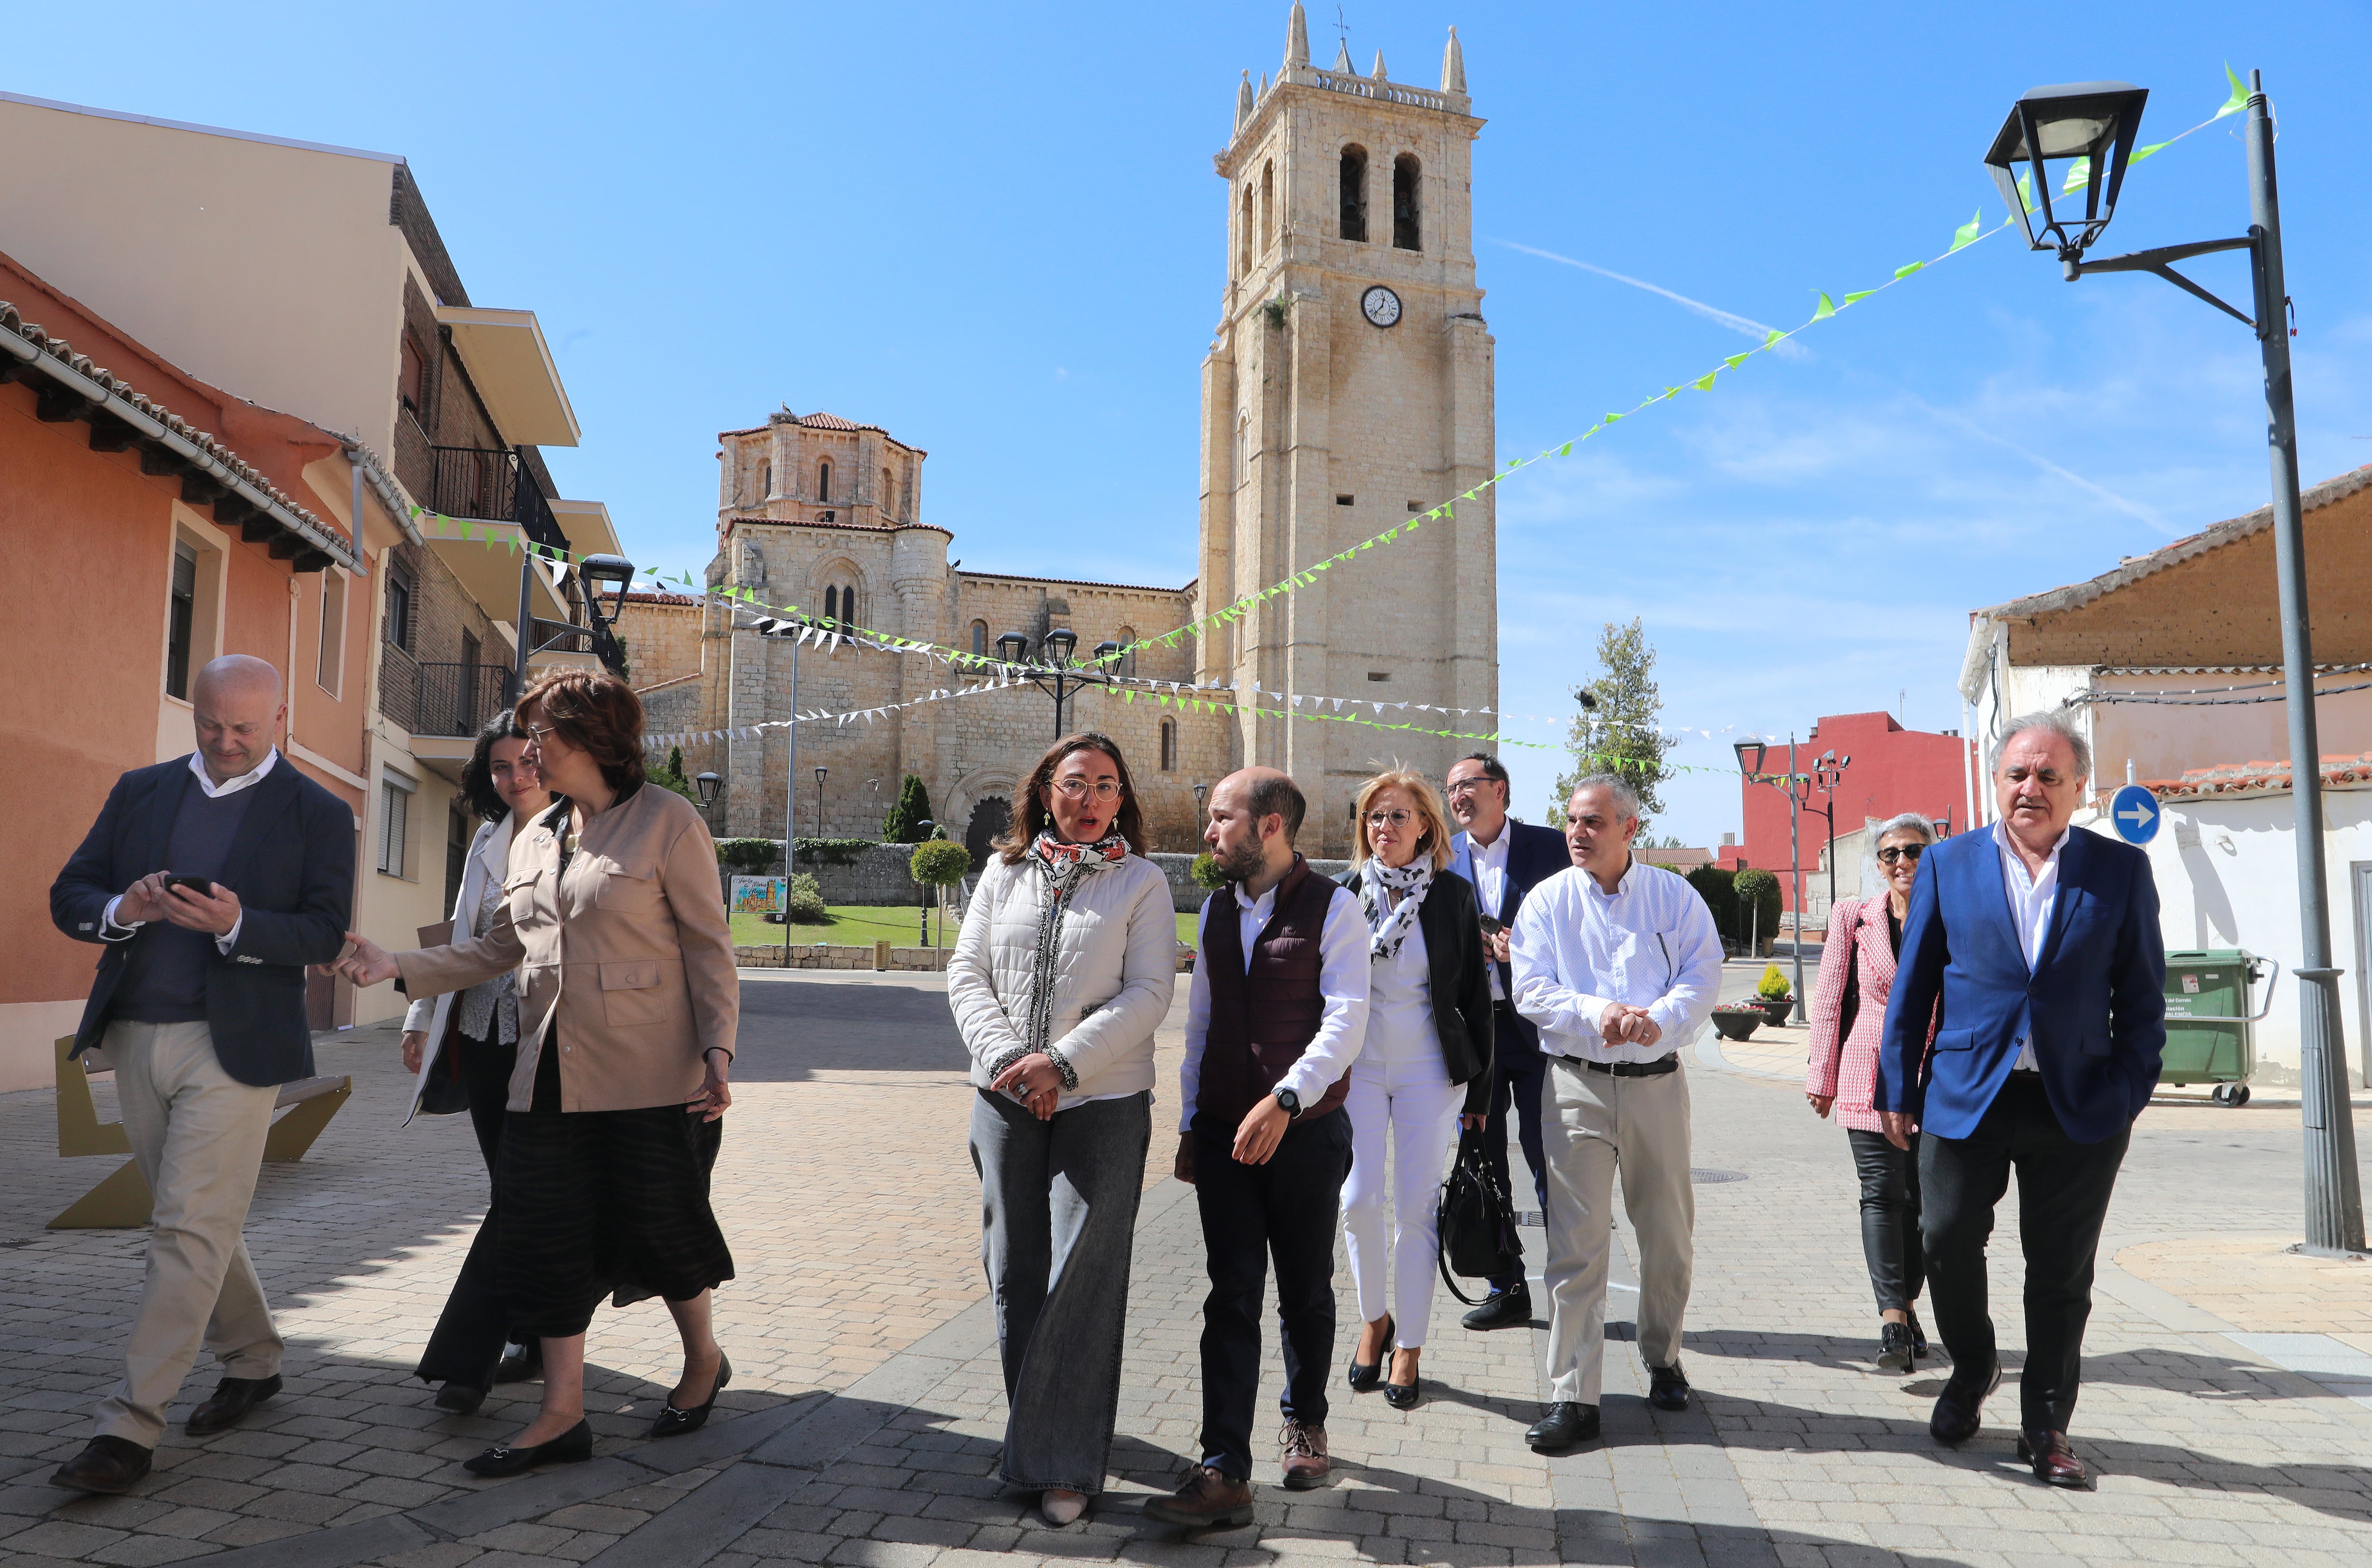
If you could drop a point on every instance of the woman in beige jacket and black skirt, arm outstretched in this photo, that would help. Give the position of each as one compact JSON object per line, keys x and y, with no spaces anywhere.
{"x":618,"y":931}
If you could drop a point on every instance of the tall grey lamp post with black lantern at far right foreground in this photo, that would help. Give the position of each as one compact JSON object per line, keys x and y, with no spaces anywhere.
{"x":2100,"y":122}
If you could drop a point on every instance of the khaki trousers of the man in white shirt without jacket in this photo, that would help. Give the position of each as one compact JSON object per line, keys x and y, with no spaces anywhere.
{"x":1595,"y":1126}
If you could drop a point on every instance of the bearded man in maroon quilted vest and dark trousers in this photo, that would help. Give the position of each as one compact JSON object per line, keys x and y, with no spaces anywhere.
{"x":1273,"y":1024}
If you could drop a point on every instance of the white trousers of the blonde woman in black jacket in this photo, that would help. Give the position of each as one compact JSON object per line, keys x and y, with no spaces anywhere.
{"x":1389,"y":1216}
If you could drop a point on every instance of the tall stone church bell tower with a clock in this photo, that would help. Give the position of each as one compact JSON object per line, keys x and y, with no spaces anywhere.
{"x":1351,"y":385}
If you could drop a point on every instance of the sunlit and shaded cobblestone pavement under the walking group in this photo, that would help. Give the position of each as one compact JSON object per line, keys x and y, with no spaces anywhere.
{"x":867,"y":1403}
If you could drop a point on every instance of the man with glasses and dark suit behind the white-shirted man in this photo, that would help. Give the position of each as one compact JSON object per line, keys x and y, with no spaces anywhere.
{"x":1505,"y":860}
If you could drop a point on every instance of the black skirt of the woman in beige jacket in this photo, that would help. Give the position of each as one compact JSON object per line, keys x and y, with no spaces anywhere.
{"x":604,"y":1204}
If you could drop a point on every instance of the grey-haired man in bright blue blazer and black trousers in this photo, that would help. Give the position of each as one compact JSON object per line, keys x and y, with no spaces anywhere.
{"x":2043,"y":948}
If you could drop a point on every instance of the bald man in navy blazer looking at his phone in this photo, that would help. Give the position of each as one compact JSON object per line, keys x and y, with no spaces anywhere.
{"x":200,"y":1009}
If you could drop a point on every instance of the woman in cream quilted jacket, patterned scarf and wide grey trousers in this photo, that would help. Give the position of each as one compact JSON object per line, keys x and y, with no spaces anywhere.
{"x":1059,"y":979}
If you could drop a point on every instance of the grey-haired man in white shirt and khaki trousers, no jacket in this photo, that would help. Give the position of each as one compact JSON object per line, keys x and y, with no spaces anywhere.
{"x":1619,"y":964}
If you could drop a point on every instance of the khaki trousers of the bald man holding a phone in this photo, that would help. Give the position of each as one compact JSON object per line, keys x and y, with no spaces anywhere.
{"x":198,"y":1137}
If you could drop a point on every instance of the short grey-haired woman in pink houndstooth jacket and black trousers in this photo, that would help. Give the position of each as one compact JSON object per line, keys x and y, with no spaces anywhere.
{"x":1849,"y":1014}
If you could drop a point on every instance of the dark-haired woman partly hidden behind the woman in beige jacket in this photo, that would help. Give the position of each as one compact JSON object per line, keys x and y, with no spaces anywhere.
{"x":471,"y":1040}
